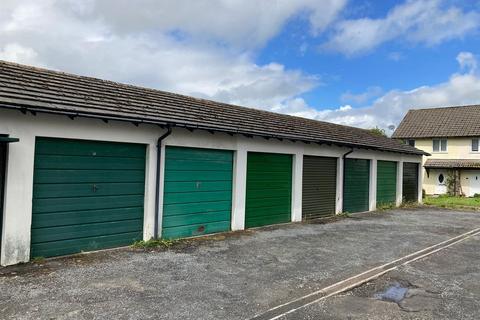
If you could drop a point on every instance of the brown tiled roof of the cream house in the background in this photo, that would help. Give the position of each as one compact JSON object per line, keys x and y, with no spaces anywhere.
{"x":460,"y":121}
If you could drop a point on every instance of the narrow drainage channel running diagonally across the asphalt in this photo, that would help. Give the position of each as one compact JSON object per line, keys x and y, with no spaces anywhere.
{"x":349,"y":283}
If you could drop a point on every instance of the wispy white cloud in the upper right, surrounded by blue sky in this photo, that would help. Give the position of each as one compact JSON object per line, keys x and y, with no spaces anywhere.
{"x":429,"y":22}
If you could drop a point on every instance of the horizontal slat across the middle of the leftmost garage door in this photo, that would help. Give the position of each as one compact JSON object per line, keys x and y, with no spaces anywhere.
{"x":85,"y":189}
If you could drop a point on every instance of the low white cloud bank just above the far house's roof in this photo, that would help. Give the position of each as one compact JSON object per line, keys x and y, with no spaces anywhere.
{"x":459,"y":89}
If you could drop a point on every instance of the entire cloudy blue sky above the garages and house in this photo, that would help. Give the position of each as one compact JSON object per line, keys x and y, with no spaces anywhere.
{"x":354,"y":62}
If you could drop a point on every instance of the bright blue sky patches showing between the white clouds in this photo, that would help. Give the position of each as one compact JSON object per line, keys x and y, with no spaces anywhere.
{"x":393,"y":65}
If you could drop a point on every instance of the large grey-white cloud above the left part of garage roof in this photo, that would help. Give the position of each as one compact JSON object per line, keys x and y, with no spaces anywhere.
{"x":204,"y":48}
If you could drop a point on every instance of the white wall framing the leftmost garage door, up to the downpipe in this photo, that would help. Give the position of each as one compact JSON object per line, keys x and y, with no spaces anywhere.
{"x":17,"y":211}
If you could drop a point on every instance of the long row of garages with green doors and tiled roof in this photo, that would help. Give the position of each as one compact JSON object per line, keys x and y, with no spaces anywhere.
{"x":88,"y":164}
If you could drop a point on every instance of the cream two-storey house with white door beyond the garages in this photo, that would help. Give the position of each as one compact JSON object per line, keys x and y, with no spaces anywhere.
{"x":451,"y":135}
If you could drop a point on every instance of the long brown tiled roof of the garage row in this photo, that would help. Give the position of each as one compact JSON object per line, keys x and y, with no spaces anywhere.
{"x":39,"y":90}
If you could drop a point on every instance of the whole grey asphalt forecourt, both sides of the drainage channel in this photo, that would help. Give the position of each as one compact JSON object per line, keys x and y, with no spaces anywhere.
{"x":239,"y":275}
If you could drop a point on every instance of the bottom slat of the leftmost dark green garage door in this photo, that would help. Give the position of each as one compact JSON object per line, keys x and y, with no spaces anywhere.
{"x":64,"y":247}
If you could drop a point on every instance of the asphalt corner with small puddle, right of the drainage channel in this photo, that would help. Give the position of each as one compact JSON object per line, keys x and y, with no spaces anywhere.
{"x":446,"y":285}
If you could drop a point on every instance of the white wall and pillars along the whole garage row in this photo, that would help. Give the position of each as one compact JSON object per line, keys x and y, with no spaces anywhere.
{"x":20,"y":167}
